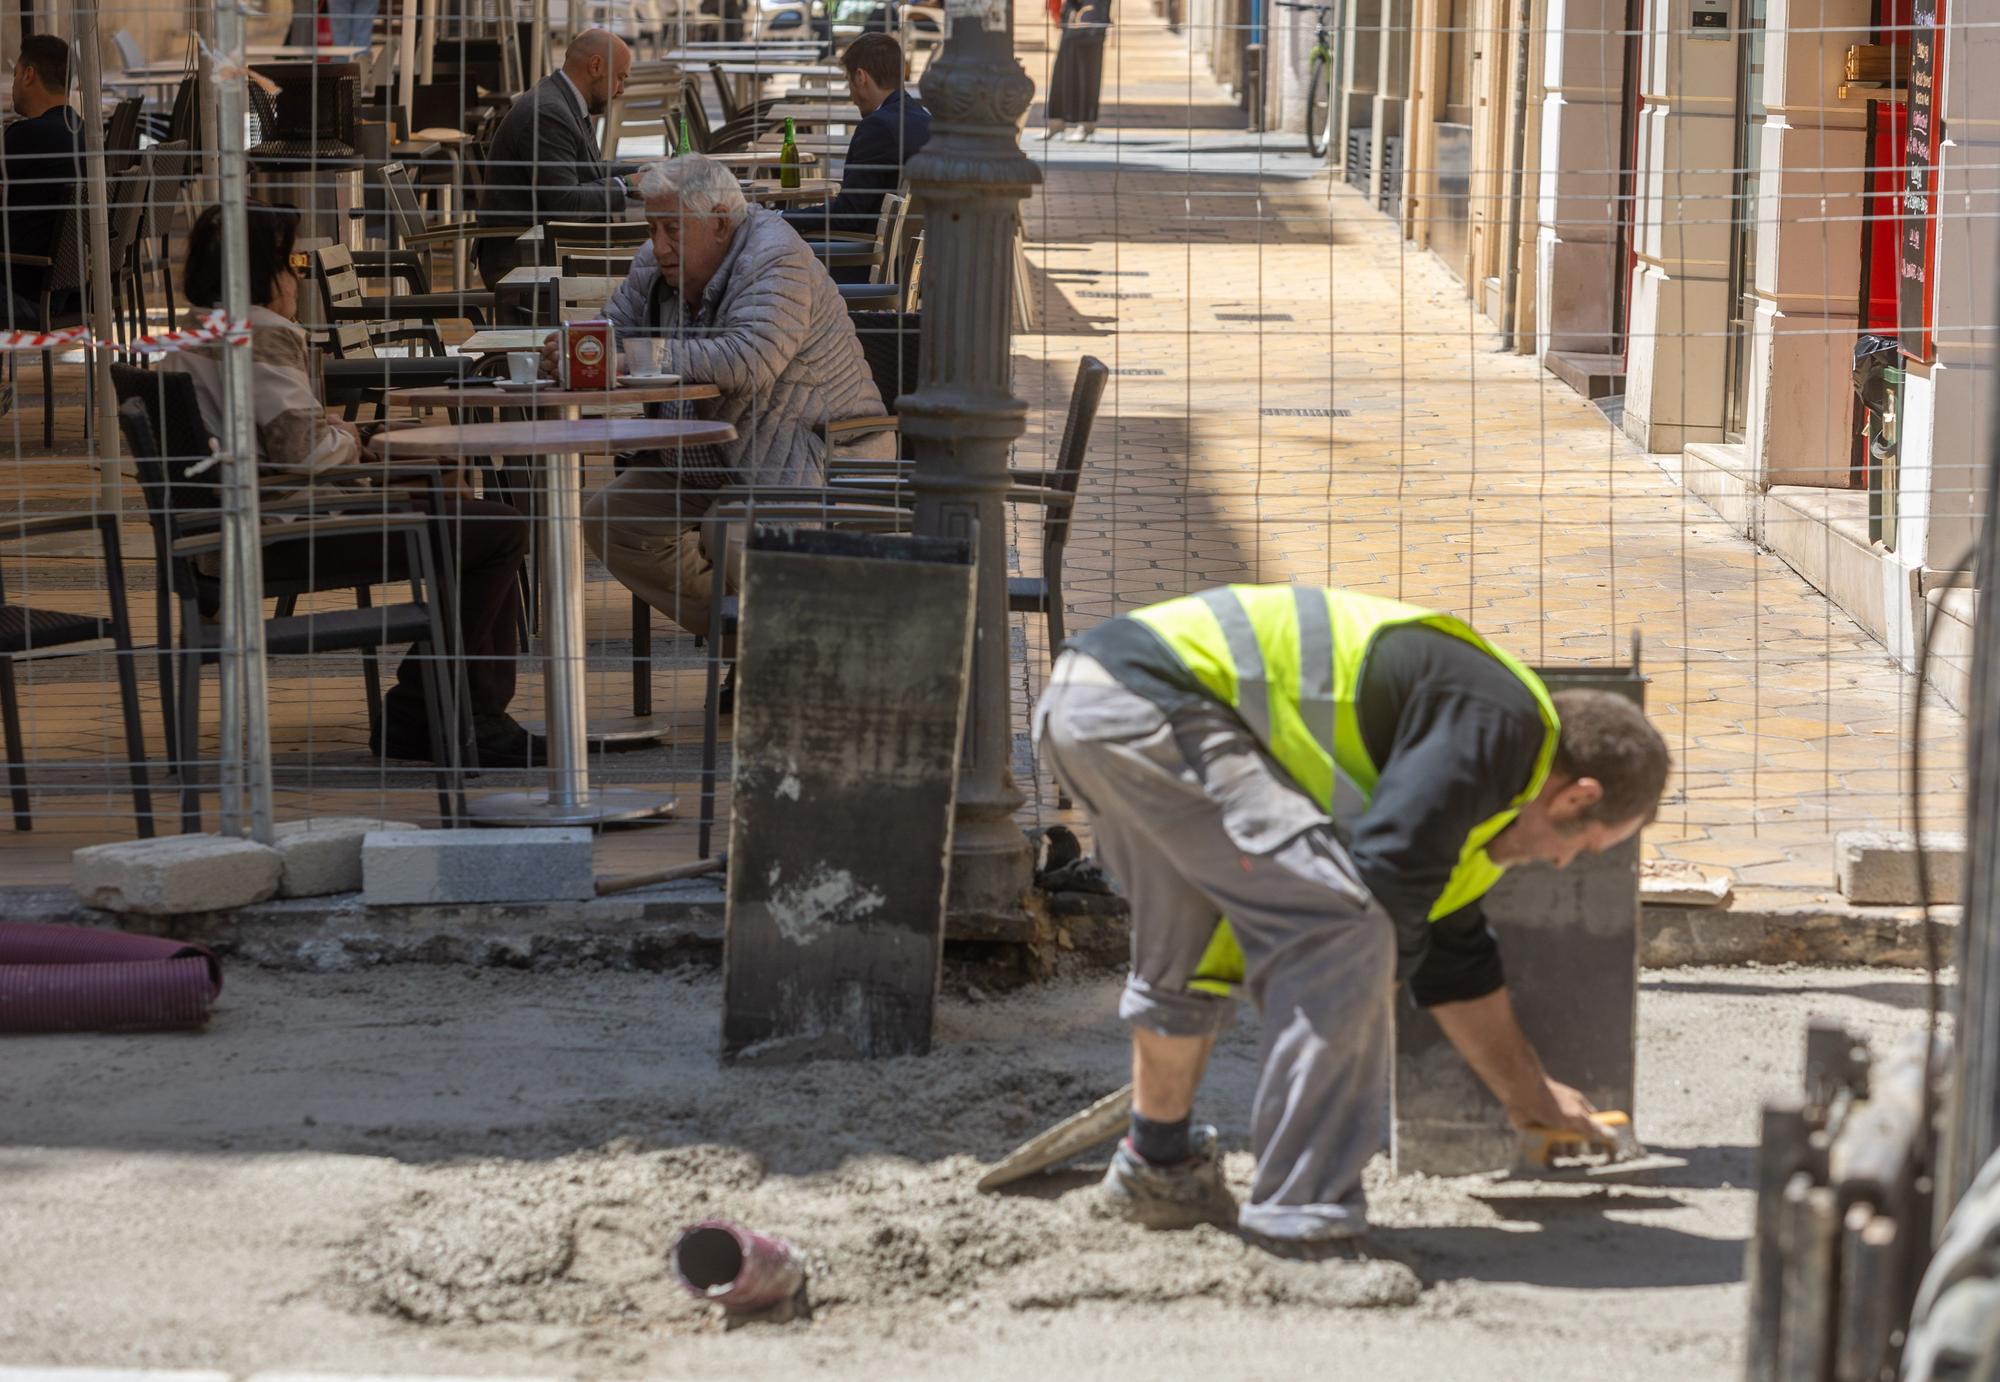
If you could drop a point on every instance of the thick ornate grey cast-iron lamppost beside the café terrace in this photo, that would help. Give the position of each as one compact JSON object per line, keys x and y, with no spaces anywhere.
{"x":963,"y":417}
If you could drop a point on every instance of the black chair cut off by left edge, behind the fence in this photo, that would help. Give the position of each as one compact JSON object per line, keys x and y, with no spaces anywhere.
{"x":27,"y":629}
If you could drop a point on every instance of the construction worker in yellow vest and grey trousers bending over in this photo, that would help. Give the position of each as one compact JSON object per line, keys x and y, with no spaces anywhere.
{"x":1305,"y":793}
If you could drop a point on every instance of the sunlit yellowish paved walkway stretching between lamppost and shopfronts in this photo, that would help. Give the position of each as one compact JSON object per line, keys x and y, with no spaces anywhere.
{"x":1241,"y":297}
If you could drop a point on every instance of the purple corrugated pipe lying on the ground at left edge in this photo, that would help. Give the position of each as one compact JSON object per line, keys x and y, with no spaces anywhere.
{"x":79,"y":979}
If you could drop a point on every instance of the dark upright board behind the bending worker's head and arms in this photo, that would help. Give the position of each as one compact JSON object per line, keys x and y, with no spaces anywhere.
{"x":1569,"y":941}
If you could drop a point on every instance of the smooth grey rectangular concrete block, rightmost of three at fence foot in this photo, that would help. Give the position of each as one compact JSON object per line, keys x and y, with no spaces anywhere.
{"x":427,"y":867}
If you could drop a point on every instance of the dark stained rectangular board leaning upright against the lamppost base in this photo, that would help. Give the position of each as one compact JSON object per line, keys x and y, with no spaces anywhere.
{"x":849,"y":719}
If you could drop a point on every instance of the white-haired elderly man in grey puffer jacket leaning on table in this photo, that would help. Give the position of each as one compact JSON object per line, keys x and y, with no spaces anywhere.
{"x":739,"y":303}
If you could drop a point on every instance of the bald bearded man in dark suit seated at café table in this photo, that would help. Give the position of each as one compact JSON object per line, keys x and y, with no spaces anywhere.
{"x":545,"y":157}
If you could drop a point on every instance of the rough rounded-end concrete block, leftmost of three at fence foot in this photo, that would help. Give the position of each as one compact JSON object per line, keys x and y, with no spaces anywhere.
{"x":185,"y":873}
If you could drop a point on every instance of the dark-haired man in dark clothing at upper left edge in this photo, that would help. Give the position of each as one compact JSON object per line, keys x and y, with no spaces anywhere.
{"x":41,"y":169}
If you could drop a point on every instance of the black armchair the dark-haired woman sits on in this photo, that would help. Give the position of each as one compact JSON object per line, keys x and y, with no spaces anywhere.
{"x":185,"y":505}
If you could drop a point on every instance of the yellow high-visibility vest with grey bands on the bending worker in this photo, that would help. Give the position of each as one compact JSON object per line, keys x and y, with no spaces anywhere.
{"x":1289,"y":661}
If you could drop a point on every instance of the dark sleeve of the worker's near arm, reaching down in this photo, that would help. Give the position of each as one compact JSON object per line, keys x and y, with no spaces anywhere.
{"x":1457,"y":761}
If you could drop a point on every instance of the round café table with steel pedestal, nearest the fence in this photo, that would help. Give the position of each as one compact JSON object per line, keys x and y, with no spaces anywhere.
{"x":563,"y":443}
